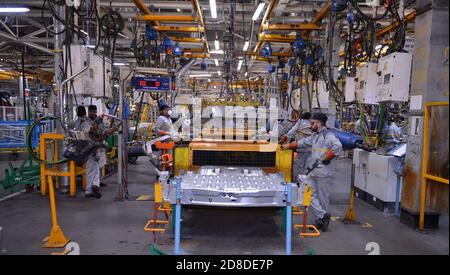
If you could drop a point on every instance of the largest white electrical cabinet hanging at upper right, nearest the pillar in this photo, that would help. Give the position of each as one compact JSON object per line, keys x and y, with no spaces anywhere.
{"x":394,"y":77}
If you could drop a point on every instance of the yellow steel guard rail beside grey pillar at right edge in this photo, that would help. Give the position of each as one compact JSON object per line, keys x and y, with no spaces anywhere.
{"x":425,"y":174}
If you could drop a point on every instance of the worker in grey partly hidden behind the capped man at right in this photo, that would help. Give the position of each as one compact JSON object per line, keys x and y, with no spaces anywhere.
{"x":300,"y":130}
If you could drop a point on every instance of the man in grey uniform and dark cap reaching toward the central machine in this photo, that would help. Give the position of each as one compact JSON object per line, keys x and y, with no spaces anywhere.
{"x":325,"y":147}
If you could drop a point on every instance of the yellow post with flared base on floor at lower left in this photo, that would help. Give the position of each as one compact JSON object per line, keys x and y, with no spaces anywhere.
{"x":56,"y":239}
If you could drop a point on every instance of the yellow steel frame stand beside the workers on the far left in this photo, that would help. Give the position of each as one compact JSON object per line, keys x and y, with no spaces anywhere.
{"x":55,"y":170}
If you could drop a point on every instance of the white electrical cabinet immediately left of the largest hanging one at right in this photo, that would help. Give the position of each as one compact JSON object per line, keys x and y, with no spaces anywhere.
{"x":366,"y":83}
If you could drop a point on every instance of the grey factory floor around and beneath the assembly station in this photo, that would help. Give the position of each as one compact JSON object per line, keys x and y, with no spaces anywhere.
{"x":106,"y":226}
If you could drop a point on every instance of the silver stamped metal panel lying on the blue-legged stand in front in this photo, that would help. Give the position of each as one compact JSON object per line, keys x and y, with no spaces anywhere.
{"x":232,"y":187}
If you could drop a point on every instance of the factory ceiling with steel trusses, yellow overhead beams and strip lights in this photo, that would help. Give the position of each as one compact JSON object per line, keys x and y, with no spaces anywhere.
{"x":277,"y":22}
